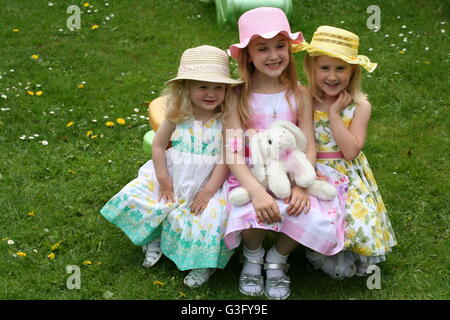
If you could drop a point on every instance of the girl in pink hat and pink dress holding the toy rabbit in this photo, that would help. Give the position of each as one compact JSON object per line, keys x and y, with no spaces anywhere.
{"x":271,"y":92}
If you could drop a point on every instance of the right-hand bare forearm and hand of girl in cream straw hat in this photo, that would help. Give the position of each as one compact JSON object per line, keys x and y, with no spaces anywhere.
{"x":216,"y":180}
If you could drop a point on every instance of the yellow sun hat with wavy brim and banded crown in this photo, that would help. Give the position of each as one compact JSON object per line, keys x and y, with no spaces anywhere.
{"x":337,"y":43}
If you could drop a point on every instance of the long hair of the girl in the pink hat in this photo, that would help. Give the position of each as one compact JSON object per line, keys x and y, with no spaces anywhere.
{"x":246,"y":69}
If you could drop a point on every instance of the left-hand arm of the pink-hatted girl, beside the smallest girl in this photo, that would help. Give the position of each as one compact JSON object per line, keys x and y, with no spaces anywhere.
{"x":265,"y":206}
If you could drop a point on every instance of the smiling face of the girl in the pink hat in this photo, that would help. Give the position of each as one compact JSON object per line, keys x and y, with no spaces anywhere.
{"x":269,"y":56}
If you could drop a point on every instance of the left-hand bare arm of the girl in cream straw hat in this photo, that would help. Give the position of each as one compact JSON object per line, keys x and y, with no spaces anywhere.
{"x":160,"y":143}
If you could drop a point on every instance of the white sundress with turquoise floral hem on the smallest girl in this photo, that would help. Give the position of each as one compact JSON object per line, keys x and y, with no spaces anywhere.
{"x":188,"y":240}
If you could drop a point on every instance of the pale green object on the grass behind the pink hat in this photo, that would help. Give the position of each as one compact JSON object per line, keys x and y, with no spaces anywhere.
{"x":229,"y":11}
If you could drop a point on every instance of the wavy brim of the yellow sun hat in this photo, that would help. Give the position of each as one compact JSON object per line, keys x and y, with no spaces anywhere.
{"x":313,"y":51}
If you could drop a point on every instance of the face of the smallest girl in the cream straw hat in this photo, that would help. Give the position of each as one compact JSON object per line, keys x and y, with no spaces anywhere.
{"x":206,"y":95}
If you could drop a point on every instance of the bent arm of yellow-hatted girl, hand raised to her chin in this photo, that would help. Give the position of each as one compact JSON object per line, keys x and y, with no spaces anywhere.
{"x":351,"y":140}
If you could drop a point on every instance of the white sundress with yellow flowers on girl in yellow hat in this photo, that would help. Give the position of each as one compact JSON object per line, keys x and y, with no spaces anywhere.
{"x":368,"y":231}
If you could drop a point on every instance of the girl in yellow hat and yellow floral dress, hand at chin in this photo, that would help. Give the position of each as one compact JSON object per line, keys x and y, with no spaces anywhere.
{"x":341,"y":116}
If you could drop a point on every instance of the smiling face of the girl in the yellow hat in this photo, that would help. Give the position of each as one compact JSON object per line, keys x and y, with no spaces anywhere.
{"x":332,"y":75}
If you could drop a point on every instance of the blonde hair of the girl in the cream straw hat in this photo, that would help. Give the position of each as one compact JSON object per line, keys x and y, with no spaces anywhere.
{"x":179,"y":104}
